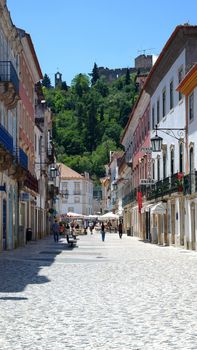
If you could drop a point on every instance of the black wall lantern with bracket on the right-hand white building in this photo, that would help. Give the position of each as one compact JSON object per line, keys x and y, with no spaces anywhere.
{"x":156,"y":142}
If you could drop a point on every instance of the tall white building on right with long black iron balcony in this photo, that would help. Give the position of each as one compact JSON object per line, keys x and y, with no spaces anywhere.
{"x":168,"y":111}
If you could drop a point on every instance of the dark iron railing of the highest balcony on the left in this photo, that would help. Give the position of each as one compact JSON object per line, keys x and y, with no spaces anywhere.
{"x":8,"y":74}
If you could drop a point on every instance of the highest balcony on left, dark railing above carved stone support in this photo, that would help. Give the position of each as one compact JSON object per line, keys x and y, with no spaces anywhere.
{"x":9,"y":84}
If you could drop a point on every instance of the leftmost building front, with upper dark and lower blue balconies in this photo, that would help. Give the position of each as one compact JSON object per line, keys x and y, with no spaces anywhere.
{"x":10,"y":48}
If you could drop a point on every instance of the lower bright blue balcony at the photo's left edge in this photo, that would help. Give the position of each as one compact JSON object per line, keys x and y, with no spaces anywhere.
{"x":6,"y":149}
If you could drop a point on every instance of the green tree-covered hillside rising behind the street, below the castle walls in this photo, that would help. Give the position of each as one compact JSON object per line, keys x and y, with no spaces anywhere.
{"x":88,"y":119}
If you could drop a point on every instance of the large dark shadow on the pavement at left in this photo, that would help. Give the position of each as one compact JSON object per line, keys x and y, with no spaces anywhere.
{"x":21,"y":267}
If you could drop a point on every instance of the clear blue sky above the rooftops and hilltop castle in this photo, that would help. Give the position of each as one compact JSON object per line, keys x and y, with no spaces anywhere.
{"x":70,"y":35}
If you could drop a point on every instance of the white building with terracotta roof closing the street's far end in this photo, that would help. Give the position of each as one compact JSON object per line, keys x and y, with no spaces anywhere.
{"x":76,"y":192}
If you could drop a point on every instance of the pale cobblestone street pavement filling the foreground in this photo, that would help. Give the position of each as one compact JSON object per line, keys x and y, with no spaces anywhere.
{"x":118,"y":294}
